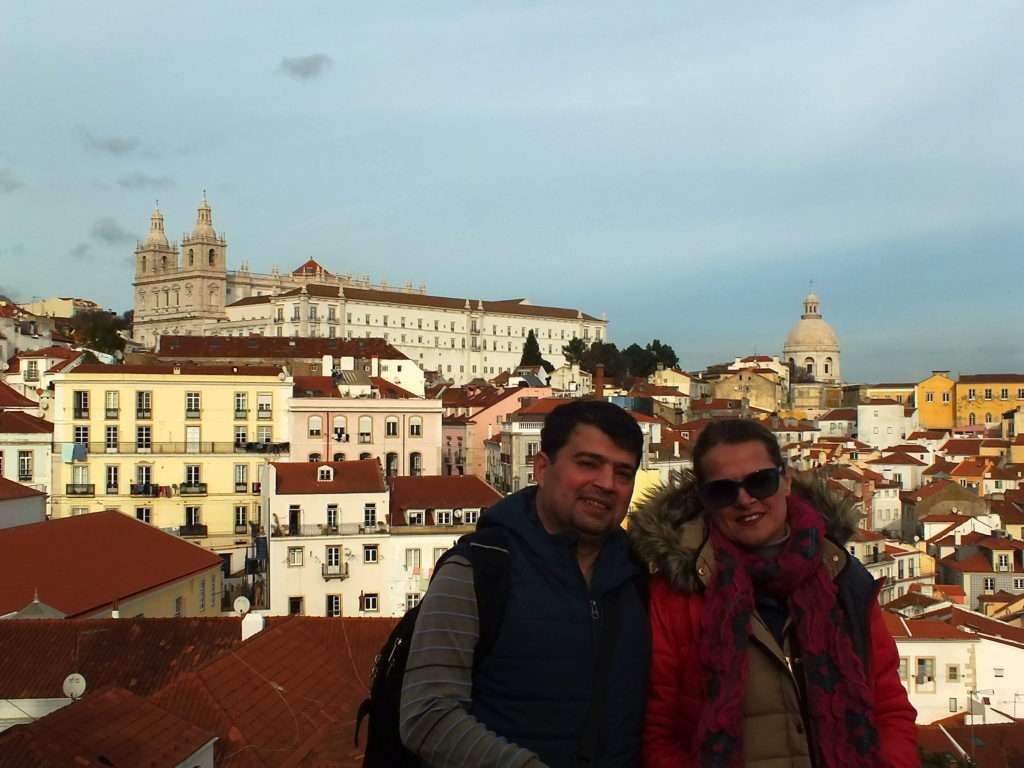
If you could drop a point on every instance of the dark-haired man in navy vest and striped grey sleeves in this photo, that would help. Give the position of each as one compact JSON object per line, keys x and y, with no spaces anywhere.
{"x":575,"y":605}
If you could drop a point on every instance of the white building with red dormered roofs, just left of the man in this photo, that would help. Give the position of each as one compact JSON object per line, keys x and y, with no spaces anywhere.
{"x":342,"y":543}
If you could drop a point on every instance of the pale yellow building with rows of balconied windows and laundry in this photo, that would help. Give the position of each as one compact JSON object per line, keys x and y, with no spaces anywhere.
{"x":178,"y":447}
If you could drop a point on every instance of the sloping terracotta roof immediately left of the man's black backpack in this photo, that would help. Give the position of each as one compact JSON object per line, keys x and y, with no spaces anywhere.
{"x":287,"y":697}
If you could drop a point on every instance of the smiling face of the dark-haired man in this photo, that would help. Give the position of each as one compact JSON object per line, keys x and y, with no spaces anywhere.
{"x":588,"y":486}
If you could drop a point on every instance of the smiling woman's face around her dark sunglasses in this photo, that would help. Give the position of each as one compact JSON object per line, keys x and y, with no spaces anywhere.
{"x":750,"y":523}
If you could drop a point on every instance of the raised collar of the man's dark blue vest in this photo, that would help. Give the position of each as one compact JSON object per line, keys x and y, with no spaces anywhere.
{"x":518,"y":515}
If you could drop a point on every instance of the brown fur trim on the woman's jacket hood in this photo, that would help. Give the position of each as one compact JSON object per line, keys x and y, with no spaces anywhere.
{"x":668,"y":529}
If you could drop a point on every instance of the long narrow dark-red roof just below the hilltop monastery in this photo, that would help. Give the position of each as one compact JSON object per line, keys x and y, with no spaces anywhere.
{"x":274,"y":348}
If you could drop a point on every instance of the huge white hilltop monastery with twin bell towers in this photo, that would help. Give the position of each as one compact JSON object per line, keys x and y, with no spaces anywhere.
{"x":189,"y":290}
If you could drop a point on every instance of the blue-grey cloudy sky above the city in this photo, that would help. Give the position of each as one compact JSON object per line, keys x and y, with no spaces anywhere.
{"x":688,"y":168}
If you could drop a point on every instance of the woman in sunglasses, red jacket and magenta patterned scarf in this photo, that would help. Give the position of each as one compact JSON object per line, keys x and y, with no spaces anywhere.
{"x":770,"y":649}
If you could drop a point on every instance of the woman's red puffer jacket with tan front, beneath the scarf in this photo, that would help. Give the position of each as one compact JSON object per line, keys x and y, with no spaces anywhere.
{"x":774,"y":730}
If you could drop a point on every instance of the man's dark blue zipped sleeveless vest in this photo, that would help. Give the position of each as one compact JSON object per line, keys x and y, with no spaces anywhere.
{"x":535,"y":688}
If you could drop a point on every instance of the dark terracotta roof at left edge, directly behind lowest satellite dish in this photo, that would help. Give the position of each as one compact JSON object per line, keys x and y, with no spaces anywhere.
{"x":37,"y":655}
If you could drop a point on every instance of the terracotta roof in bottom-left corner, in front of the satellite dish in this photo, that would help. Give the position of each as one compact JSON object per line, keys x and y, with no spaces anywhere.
{"x":104,"y":730}
